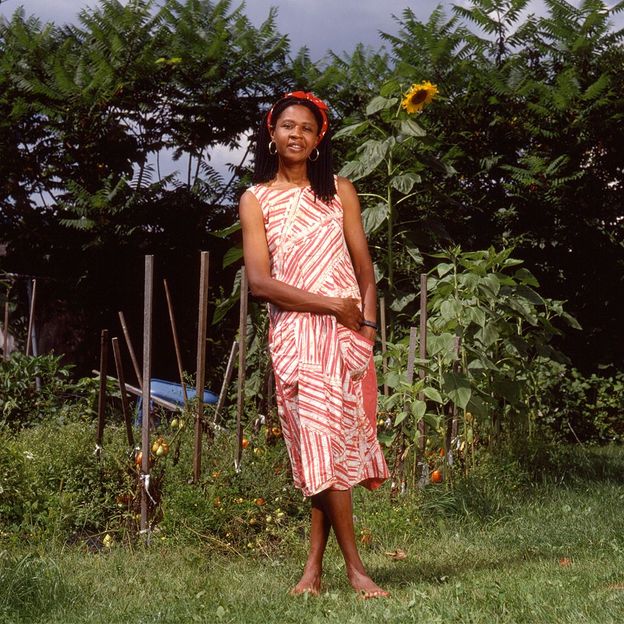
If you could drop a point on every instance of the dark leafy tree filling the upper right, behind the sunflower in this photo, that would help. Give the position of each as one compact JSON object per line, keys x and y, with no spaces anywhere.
{"x":532,"y":106}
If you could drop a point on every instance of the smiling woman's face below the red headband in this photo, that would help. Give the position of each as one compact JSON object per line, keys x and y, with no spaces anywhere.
{"x":295,"y":133}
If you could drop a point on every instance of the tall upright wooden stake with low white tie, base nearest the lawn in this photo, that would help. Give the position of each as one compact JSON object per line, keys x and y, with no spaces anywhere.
{"x":148,"y":300}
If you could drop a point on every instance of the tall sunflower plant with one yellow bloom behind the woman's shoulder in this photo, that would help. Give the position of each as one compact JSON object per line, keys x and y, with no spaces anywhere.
{"x":393,"y":153}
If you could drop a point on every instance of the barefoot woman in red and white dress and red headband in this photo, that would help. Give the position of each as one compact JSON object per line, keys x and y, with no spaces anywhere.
{"x":306,"y":254}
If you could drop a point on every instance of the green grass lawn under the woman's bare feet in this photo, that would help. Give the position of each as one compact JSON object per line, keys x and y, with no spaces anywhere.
{"x":546,"y":553}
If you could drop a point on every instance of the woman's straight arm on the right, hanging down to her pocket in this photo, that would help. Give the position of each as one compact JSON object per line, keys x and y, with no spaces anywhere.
{"x":360,"y":255}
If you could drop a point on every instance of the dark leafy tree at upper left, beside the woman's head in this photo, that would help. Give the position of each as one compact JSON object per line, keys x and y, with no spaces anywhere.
{"x":87,"y":111}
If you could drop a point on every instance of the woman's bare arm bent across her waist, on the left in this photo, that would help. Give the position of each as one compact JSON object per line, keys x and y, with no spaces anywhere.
{"x":263,"y":286}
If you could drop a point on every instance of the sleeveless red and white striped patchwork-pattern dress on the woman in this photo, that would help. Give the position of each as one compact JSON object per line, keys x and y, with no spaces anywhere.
{"x":324,"y":372}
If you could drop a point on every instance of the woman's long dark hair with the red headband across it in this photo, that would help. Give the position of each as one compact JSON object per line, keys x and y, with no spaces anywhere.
{"x":320,"y":171}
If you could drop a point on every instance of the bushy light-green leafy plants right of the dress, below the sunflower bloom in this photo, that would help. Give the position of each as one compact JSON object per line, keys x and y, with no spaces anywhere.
{"x":488,"y":335}
